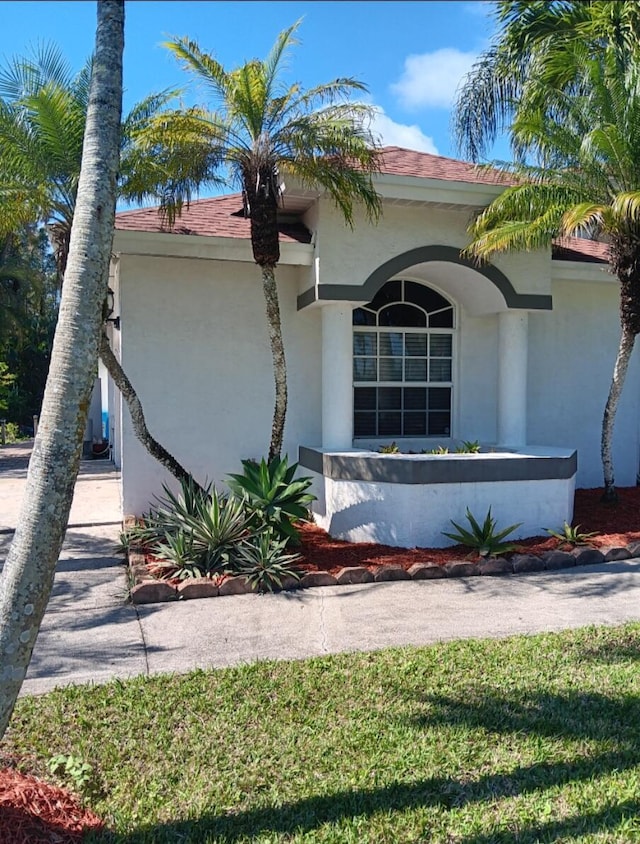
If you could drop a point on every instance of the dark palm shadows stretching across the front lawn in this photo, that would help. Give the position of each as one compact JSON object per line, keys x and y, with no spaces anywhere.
{"x":580,"y":718}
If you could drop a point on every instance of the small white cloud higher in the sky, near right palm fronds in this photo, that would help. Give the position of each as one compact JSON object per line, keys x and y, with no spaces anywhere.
{"x":432,"y":79}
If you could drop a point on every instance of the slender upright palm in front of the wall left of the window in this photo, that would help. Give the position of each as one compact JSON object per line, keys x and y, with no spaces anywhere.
{"x":260,"y":130}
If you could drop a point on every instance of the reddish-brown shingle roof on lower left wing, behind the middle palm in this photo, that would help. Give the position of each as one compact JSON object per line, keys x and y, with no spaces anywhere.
{"x":218,"y":216}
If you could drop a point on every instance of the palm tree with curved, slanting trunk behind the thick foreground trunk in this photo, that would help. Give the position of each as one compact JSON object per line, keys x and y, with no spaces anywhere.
{"x":43,"y":111}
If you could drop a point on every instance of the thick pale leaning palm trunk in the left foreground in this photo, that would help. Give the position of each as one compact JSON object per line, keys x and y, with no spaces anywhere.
{"x":27,"y":577}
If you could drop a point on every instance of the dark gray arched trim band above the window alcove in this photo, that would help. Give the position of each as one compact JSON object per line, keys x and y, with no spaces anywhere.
{"x":422,"y":255}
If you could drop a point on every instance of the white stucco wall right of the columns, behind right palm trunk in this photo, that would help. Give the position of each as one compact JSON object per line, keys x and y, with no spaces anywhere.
{"x":572,"y":351}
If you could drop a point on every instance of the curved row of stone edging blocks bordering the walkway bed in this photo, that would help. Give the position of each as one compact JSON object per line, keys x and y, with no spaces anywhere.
{"x":148,"y":590}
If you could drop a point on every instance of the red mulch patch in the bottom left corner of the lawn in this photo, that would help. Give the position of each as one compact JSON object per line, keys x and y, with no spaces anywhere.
{"x":35,"y":812}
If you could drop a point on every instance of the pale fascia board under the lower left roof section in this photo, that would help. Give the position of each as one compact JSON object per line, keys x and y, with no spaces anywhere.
{"x":169,"y":245}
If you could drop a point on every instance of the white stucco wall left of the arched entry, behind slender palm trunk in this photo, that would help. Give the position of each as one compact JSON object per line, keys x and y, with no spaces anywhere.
{"x":195,"y":345}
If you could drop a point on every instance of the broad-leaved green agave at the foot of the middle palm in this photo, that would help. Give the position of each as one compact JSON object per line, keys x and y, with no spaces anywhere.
{"x":275,"y":497}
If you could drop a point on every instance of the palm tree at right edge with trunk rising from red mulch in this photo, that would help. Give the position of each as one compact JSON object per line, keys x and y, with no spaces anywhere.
{"x":586,"y":180}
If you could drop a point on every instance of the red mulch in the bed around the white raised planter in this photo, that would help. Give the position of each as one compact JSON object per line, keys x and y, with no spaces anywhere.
{"x":616,"y":525}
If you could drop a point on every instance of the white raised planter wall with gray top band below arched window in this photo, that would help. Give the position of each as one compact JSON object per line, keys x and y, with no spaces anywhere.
{"x":407,"y":500}
